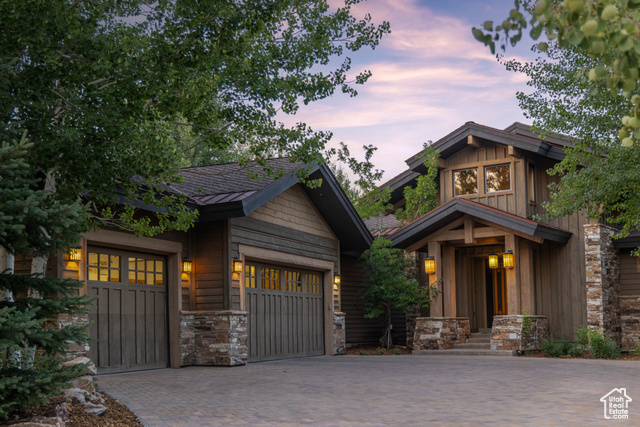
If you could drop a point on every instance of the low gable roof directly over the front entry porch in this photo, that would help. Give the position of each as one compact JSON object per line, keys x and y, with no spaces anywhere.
{"x":458,"y":207}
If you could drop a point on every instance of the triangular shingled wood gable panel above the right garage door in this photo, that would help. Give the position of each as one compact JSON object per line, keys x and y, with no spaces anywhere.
{"x":293,"y":209}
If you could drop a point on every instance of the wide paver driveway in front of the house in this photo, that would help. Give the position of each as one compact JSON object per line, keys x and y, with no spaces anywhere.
{"x":381,"y":390}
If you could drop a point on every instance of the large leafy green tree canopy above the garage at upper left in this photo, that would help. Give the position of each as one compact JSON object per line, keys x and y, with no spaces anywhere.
{"x":107,"y":90}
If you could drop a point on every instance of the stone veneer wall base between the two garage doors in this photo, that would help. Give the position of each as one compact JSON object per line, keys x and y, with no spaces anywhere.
{"x":213,"y":338}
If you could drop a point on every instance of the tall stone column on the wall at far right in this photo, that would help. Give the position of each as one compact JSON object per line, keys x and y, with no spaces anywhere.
{"x":603,"y":281}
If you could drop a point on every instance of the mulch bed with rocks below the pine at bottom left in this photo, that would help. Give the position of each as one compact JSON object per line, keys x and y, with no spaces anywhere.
{"x":117,"y":415}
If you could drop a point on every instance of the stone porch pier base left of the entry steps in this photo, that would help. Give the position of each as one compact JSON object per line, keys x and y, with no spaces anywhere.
{"x":440,"y":333}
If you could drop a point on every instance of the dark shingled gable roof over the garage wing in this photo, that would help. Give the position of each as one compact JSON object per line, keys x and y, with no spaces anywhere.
{"x":227,"y":191}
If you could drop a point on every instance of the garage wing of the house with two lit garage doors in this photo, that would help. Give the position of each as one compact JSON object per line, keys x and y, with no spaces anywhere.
{"x":254,"y":280}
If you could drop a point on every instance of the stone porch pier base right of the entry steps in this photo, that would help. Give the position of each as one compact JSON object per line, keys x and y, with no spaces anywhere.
{"x":506,"y":333}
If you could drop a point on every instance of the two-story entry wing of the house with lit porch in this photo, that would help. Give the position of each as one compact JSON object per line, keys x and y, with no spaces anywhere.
{"x":494,"y":261}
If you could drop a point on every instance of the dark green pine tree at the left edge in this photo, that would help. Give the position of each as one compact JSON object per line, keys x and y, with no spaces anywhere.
{"x":32,"y":221}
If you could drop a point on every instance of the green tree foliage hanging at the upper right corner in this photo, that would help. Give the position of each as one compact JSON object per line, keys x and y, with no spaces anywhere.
{"x":586,"y":86}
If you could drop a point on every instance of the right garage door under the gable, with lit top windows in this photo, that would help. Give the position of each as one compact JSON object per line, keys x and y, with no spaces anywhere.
{"x":285,"y":312}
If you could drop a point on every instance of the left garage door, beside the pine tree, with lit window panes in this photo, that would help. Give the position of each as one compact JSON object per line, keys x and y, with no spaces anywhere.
{"x":129,"y":318}
